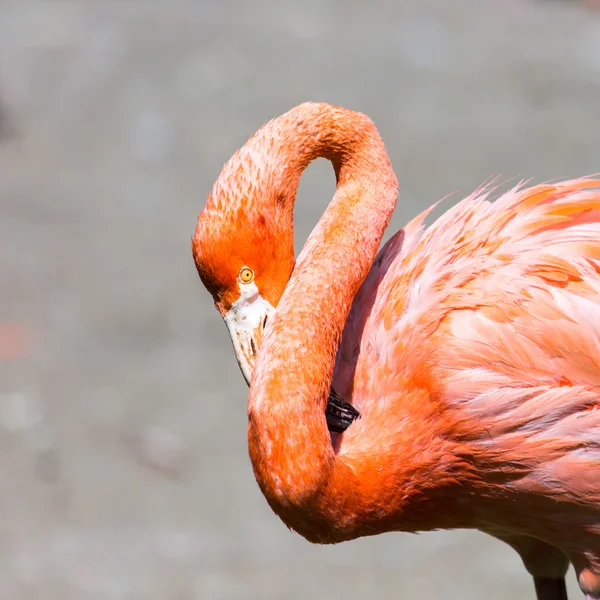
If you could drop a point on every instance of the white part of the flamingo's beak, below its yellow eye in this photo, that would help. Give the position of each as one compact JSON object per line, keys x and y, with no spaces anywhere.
{"x":245,"y":321}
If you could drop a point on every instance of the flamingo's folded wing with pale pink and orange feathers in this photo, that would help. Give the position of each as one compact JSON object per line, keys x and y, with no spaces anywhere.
{"x":498,"y":304}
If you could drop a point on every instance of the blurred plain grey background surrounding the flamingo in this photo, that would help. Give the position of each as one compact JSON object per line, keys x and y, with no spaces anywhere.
{"x":123,"y":460}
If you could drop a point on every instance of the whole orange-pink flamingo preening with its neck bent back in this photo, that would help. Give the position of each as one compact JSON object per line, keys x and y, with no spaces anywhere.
{"x":450,"y":380}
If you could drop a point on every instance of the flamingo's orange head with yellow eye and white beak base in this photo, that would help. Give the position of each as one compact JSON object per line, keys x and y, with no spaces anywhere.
{"x":244,"y":257}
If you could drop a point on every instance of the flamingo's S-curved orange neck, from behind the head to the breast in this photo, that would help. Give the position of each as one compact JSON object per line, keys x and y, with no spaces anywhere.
{"x":289,"y":442}
